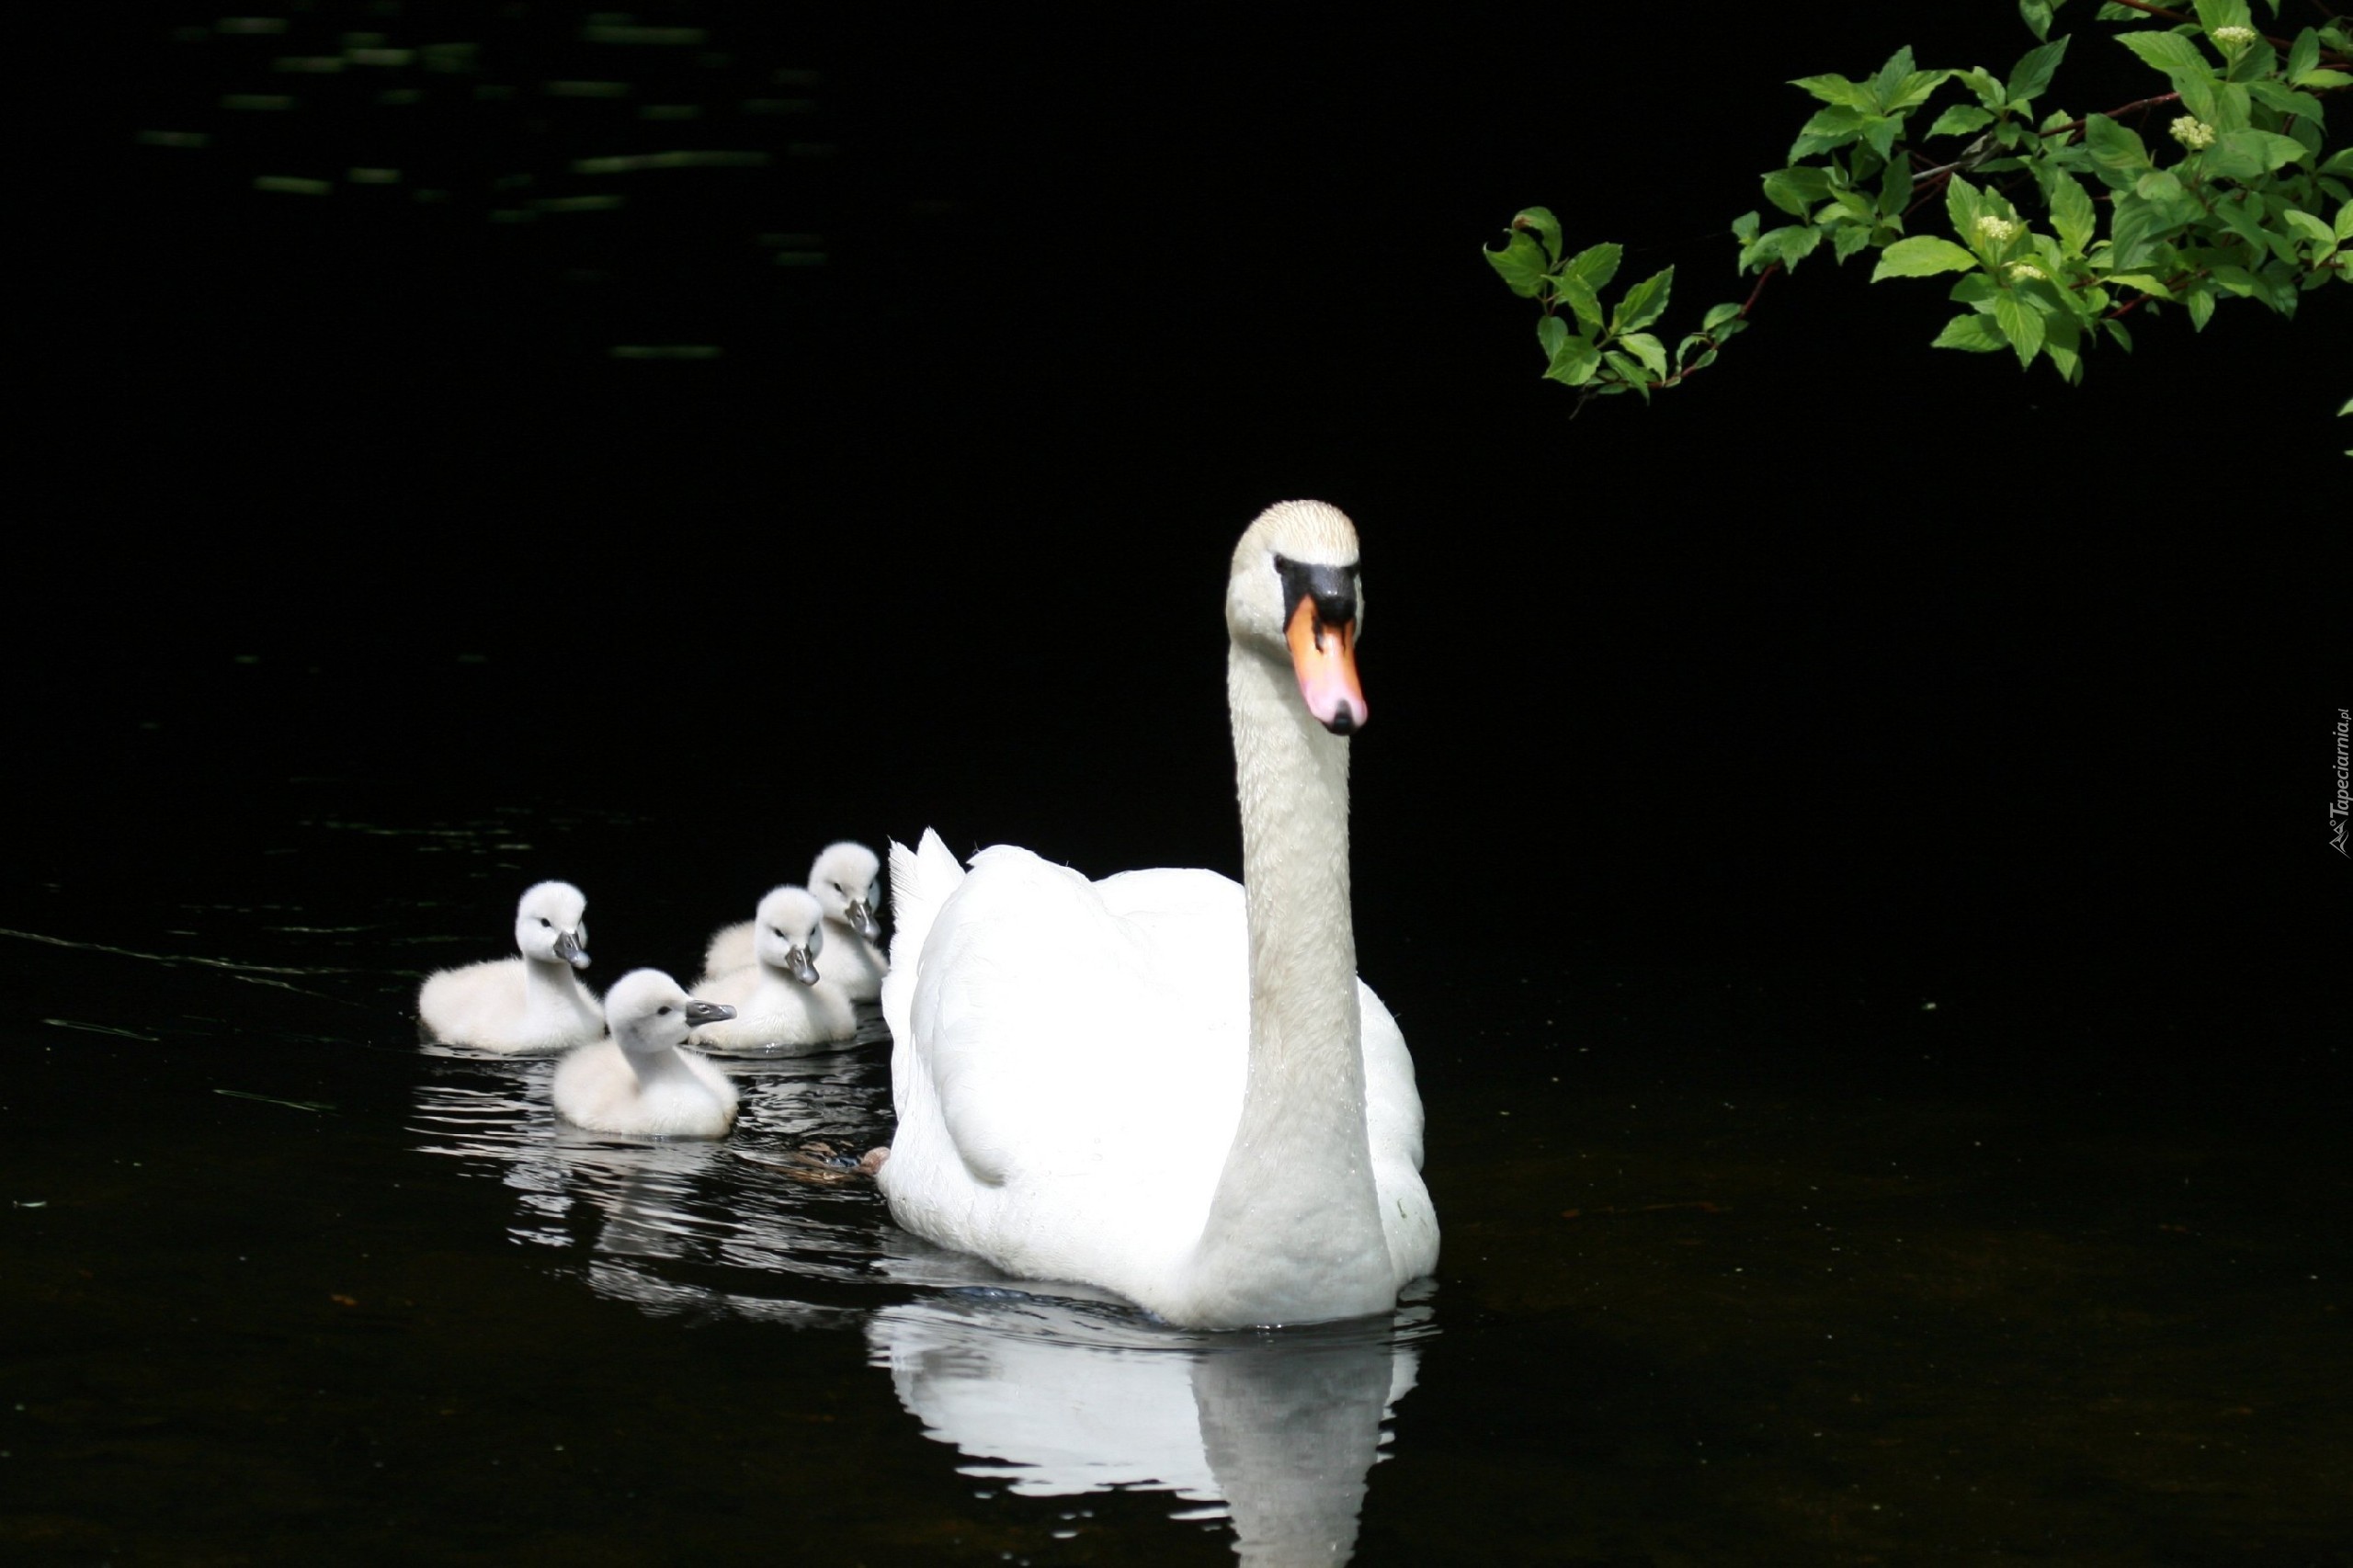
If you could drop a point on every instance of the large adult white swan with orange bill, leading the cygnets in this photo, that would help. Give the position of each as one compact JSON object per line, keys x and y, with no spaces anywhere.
{"x":1166,"y":1084}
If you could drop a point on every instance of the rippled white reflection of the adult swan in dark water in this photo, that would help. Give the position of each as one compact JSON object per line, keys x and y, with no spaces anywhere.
{"x":1058,"y":1400}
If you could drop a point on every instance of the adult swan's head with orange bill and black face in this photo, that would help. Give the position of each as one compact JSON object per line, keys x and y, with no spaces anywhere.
{"x":1295,"y":594}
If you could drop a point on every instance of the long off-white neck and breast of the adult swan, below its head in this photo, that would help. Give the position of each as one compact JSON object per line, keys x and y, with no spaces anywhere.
{"x":1295,"y":1230}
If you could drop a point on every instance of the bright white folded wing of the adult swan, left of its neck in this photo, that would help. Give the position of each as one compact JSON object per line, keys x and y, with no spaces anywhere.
{"x":1084,"y":1054}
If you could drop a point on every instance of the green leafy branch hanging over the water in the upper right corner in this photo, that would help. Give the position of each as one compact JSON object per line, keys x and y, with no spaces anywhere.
{"x":2253,"y":206}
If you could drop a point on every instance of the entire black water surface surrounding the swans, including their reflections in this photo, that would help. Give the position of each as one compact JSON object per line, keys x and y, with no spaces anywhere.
{"x":1846,"y":844}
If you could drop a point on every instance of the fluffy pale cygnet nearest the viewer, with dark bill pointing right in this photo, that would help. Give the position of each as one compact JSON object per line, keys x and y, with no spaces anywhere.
{"x":639,"y":1079}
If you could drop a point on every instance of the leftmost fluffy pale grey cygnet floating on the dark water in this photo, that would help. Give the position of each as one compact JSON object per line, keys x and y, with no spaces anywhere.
{"x":521,"y":1004}
